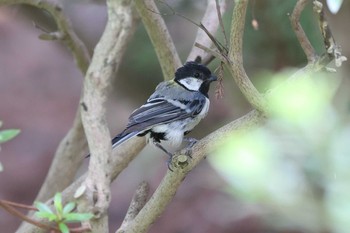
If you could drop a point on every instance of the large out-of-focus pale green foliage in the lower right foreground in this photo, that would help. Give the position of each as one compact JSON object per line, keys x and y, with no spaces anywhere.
{"x":297,"y":164}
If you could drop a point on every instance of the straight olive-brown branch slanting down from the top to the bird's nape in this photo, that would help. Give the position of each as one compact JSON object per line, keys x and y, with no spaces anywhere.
{"x":158,"y":32}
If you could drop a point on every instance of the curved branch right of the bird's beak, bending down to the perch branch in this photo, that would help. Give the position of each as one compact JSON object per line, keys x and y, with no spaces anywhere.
{"x":235,"y":58}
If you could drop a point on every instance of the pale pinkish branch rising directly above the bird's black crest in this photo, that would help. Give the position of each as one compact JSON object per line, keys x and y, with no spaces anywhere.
{"x":211,"y":22}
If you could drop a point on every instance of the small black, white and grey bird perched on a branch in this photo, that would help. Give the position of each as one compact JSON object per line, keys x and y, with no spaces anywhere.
{"x":173,"y":110}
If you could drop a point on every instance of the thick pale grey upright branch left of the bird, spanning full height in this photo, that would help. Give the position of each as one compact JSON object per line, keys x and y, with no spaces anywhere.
{"x":106,"y":60}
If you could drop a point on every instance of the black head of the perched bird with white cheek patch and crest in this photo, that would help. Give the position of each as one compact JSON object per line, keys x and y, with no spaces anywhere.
{"x":194,"y":77}
